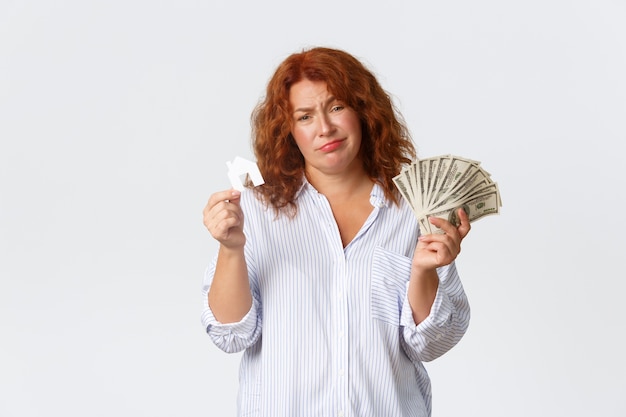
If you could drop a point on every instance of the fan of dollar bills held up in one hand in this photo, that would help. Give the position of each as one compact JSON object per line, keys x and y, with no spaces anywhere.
{"x":439,"y":186}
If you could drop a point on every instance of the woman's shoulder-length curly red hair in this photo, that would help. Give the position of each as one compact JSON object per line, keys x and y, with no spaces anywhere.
{"x":386,"y":144}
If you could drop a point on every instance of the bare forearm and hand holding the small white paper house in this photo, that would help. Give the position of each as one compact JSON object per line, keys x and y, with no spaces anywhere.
{"x":230,"y":297}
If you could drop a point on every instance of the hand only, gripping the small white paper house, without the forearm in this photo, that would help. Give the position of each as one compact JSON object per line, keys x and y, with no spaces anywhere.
{"x":223,"y":218}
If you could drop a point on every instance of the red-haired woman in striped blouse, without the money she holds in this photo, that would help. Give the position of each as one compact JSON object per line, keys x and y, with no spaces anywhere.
{"x":327,"y":284}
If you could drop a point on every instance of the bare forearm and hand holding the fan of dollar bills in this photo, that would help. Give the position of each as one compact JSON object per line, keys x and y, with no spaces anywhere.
{"x":433,"y":251}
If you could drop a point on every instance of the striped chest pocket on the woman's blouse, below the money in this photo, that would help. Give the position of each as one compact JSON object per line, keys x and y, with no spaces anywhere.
{"x":390,"y":275}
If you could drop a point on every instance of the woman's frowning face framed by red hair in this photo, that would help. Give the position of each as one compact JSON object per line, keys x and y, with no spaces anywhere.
{"x":327,"y":132}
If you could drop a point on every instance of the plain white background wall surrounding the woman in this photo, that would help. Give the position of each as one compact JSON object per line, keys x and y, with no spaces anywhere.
{"x":117,"y":118}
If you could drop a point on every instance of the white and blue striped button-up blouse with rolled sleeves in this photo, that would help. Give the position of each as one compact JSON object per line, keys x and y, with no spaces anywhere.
{"x":330,"y":331}
